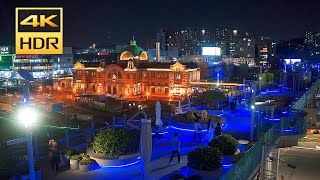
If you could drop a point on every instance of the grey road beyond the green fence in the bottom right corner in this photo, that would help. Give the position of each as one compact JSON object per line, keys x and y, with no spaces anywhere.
{"x":306,"y":161}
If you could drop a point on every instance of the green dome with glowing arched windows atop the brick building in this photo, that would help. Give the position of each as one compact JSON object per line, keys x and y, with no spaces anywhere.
{"x":133,"y":52}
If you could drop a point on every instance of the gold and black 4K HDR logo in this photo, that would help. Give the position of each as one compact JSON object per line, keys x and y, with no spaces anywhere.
{"x":39,"y":31}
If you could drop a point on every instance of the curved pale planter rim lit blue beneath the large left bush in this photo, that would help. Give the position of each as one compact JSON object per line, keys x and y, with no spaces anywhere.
{"x":121,"y":161}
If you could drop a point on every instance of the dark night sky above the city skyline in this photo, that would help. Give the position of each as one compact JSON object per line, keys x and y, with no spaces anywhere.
{"x":116,"y":21}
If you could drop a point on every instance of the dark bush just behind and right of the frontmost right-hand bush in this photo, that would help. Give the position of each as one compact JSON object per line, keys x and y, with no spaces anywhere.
{"x":225,"y":143}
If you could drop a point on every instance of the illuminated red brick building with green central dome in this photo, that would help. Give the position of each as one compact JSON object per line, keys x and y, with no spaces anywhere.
{"x":135,"y":76}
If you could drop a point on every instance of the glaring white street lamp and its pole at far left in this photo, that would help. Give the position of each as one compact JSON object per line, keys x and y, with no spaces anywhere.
{"x":28,"y":117}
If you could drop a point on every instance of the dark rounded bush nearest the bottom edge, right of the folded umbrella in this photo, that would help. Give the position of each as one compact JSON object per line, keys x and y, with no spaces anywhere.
{"x":205,"y":158}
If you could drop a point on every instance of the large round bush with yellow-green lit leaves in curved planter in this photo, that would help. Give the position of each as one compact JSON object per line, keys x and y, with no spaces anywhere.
{"x":116,"y":142}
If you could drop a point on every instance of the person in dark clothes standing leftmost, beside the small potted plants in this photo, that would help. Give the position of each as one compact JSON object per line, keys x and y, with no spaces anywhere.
{"x":54,"y":155}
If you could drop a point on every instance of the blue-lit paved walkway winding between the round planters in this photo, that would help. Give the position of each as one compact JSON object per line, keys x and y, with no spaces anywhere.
{"x":236,"y":125}
